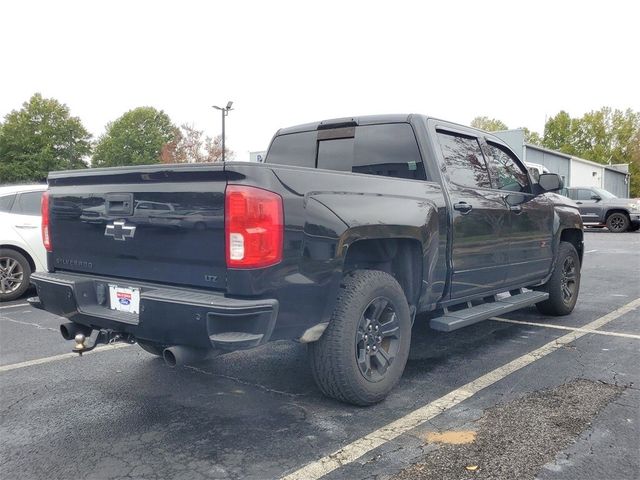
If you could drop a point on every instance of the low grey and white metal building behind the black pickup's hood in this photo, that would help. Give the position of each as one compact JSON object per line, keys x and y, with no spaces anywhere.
{"x":574,"y":171}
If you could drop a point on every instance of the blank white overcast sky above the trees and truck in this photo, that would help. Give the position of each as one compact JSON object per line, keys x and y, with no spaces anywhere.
{"x":284,"y":63}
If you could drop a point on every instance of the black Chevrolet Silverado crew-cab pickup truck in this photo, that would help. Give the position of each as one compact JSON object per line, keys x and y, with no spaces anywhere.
{"x":351,"y":228}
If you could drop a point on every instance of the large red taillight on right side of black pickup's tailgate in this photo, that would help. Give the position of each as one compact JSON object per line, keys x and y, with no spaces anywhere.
{"x":254,"y":227}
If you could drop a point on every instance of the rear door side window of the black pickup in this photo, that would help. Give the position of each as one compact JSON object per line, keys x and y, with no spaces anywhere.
{"x":465,"y":163}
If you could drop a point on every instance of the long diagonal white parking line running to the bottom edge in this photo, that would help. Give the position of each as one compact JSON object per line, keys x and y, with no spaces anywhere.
{"x":363,"y":445}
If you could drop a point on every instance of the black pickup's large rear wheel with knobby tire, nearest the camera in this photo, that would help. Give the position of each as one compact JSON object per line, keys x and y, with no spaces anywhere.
{"x":341,"y":364}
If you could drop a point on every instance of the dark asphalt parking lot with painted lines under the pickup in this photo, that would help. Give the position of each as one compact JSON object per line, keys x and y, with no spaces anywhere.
{"x":525,"y":396}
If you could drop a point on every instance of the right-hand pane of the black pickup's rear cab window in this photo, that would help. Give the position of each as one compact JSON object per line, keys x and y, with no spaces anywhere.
{"x":389,"y":150}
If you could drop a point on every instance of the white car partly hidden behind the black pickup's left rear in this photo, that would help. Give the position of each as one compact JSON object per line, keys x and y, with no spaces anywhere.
{"x":21,"y":249}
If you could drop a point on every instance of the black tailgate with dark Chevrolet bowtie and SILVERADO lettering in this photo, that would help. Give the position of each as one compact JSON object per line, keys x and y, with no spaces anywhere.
{"x":157,"y":223}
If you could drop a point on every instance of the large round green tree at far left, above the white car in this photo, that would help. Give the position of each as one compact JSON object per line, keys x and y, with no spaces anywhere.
{"x":40,"y":137}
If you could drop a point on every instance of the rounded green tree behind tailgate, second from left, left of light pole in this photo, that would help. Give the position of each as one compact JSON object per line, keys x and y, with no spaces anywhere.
{"x":141,"y":136}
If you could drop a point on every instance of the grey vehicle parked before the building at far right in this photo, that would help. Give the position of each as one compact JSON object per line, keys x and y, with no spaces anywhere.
{"x":600,"y":208}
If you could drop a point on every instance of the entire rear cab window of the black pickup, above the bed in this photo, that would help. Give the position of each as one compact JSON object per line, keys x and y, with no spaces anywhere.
{"x":389,"y":150}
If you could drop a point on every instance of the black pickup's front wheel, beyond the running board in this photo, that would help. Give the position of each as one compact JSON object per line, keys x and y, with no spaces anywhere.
{"x":564,"y":285}
